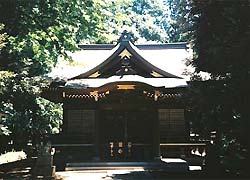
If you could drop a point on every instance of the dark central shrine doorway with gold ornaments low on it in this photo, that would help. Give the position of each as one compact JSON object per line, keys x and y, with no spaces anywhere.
{"x":126,"y":134}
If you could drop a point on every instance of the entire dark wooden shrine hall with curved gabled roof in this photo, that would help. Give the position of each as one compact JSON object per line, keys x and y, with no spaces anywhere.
{"x":126,"y":106}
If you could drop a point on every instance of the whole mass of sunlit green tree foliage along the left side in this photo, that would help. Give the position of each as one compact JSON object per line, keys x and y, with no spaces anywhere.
{"x":38,"y":33}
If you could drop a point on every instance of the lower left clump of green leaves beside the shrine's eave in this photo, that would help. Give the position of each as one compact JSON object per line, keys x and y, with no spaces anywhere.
{"x":25,"y":113}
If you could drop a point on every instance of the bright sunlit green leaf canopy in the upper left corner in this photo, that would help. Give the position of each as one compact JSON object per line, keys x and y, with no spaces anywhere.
{"x":40,"y":31}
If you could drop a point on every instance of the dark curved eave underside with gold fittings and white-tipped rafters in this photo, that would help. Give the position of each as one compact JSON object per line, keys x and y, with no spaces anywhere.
{"x":59,"y":94}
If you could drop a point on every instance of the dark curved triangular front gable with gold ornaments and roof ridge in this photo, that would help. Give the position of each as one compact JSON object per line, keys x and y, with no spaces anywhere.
{"x":127,"y":60}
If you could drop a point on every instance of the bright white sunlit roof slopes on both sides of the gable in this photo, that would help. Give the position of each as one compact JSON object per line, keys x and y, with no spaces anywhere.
{"x":169,"y":60}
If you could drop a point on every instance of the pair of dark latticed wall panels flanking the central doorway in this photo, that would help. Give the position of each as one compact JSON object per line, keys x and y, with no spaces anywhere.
{"x":83,"y":123}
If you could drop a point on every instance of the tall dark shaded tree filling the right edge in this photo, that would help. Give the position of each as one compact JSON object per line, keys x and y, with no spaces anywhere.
{"x":222,"y":37}
